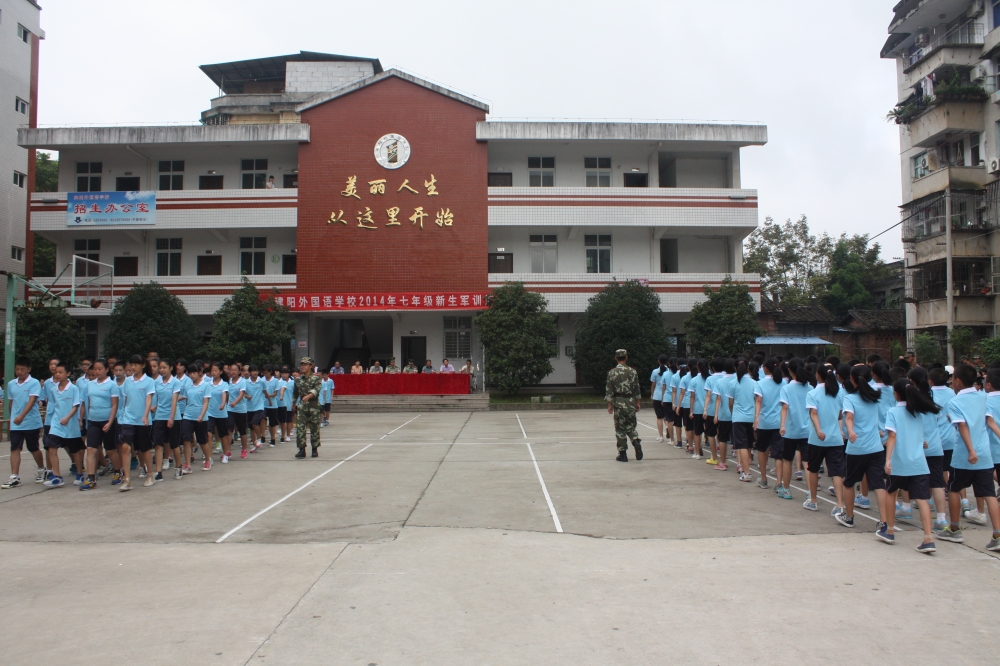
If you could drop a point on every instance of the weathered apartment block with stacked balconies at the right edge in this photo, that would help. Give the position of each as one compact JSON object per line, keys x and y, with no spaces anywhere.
{"x":947,"y":55}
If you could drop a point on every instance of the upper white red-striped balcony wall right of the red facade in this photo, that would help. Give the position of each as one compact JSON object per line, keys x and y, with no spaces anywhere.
{"x":734,"y":209}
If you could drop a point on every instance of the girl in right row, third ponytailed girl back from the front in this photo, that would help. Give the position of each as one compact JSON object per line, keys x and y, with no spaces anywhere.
{"x":826,"y":444}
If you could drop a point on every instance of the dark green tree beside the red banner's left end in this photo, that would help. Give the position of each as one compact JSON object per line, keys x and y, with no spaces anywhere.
{"x":249,"y":327}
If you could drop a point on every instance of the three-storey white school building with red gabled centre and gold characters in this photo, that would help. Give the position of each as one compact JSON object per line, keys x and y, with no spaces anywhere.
{"x":382,"y":207}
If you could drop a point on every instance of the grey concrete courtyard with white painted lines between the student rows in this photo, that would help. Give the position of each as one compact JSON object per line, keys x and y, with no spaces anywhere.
{"x":474,"y":538}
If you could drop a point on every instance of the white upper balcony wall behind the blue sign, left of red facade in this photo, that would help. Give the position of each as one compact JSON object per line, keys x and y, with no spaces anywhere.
{"x":186,"y":209}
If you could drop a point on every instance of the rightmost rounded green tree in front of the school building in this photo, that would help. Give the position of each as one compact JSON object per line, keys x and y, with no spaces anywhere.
{"x":725,"y":323}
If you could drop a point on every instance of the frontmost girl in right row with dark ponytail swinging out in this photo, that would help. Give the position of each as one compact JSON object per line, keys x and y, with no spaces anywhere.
{"x":906,"y":465}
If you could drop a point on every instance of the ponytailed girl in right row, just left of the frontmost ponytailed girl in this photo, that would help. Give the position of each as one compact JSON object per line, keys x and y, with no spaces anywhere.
{"x":865,"y":454}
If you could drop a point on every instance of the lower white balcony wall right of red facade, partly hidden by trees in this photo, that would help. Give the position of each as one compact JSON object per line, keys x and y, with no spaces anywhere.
{"x":678,"y":292}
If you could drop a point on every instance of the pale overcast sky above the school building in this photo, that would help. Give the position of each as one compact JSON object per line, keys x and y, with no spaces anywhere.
{"x":810,"y":71}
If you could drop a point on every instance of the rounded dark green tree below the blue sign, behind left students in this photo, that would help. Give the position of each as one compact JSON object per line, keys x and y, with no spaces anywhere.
{"x":150,"y":318}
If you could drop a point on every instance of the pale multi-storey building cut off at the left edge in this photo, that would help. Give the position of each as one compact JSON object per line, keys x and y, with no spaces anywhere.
{"x":20,"y":33}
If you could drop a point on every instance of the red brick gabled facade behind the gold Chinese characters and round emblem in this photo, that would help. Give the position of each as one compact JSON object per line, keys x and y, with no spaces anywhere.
{"x":441,"y":132}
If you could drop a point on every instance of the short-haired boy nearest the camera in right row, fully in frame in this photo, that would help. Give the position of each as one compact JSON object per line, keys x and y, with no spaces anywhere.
{"x":971,"y":461}
